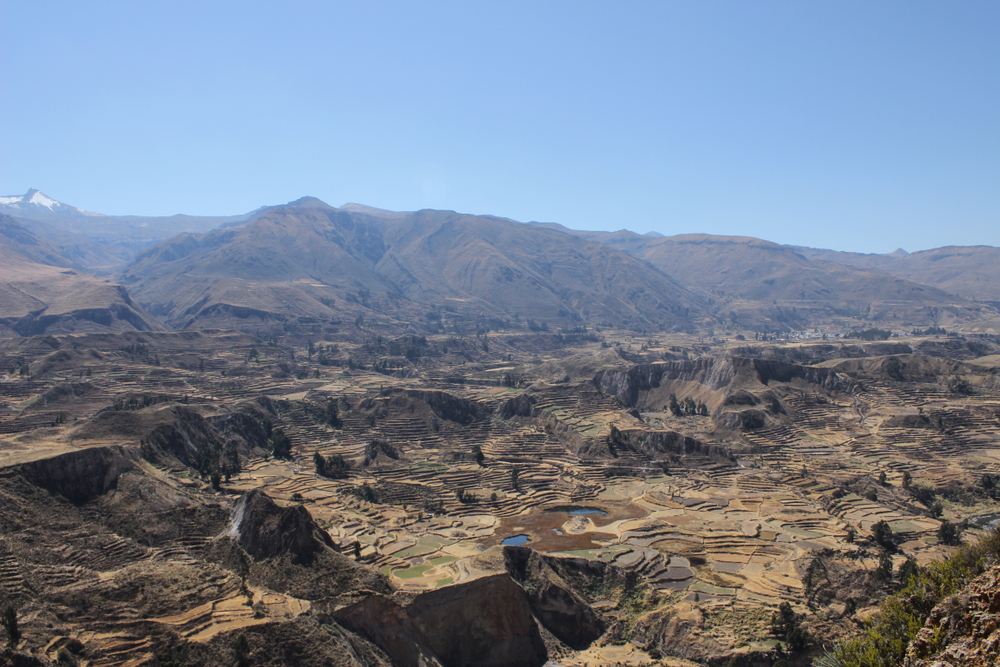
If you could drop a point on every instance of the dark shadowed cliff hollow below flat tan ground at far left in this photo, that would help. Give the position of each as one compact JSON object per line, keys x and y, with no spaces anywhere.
{"x":83,"y":474}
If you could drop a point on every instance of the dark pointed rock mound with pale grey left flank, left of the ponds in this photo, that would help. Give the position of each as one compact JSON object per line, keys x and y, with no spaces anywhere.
{"x":265,"y":530}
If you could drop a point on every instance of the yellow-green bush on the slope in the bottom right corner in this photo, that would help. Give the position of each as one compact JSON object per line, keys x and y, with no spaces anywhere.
{"x":889,"y":631}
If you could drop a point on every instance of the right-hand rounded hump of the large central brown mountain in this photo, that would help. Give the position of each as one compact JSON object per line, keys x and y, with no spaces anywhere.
{"x":532,"y":272}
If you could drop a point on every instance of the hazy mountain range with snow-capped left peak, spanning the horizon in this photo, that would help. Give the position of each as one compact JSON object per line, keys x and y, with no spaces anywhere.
{"x":307,"y":261}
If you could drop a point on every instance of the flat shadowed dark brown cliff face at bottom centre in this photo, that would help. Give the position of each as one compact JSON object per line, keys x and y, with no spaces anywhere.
{"x":486,"y":622}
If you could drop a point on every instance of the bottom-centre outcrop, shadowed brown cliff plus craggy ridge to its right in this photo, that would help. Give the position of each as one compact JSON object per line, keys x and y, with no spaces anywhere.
{"x":498,"y":619}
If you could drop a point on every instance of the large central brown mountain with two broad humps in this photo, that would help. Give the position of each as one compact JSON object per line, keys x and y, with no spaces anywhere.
{"x":309,"y":259}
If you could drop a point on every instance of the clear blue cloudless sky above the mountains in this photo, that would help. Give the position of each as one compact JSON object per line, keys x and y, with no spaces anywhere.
{"x":849,"y":125}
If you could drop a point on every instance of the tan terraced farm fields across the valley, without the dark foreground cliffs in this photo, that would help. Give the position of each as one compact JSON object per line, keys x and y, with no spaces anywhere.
{"x":771,"y":494}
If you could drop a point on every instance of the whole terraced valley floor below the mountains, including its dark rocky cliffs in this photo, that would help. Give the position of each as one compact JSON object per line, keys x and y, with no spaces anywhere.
{"x":163,"y":494}
